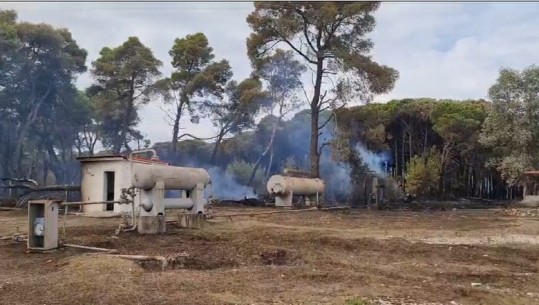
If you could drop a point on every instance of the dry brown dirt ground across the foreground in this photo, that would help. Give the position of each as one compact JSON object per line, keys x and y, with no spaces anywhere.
{"x":362,"y":257}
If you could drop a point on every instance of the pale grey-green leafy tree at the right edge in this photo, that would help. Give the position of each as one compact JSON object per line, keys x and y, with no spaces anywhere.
{"x":511,"y":128}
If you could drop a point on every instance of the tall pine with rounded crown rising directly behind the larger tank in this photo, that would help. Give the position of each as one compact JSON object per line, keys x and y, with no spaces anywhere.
{"x":196,"y":75}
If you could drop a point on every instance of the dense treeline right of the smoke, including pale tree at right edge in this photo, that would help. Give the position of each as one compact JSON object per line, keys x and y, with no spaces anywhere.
{"x":455,"y":148}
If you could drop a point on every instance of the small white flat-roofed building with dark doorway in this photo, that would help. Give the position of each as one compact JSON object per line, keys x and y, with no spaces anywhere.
{"x":103,"y":178}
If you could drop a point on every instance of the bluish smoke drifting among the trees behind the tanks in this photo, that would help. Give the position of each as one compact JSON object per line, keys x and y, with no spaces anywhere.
{"x":336,"y":175}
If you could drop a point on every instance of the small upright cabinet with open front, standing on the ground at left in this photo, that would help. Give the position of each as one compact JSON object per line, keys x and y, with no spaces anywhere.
{"x":43,"y":224}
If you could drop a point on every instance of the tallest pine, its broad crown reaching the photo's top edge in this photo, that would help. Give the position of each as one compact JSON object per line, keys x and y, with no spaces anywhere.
{"x":331,"y":38}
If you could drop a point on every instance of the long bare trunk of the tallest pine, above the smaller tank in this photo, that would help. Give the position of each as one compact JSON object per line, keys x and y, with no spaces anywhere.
{"x":315,"y":103}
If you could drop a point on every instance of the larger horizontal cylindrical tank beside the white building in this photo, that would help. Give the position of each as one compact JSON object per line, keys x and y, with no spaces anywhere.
{"x":144,"y":176}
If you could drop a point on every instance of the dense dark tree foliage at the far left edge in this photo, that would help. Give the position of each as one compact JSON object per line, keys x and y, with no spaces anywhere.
{"x":39,"y":64}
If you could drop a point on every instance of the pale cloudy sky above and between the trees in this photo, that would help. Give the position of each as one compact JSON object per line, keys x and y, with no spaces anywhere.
{"x":441,"y":50}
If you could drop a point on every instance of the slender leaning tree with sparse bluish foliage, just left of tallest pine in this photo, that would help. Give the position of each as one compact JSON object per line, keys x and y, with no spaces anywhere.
{"x":282,"y":75}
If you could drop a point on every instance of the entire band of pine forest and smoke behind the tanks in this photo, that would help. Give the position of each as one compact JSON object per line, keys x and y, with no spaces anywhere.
{"x":426,"y":147}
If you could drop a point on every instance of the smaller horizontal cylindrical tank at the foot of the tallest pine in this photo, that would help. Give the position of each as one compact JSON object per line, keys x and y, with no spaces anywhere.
{"x":282,"y":185}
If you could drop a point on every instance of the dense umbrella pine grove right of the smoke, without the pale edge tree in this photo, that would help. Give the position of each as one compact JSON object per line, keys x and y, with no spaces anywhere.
{"x":432,"y":146}
